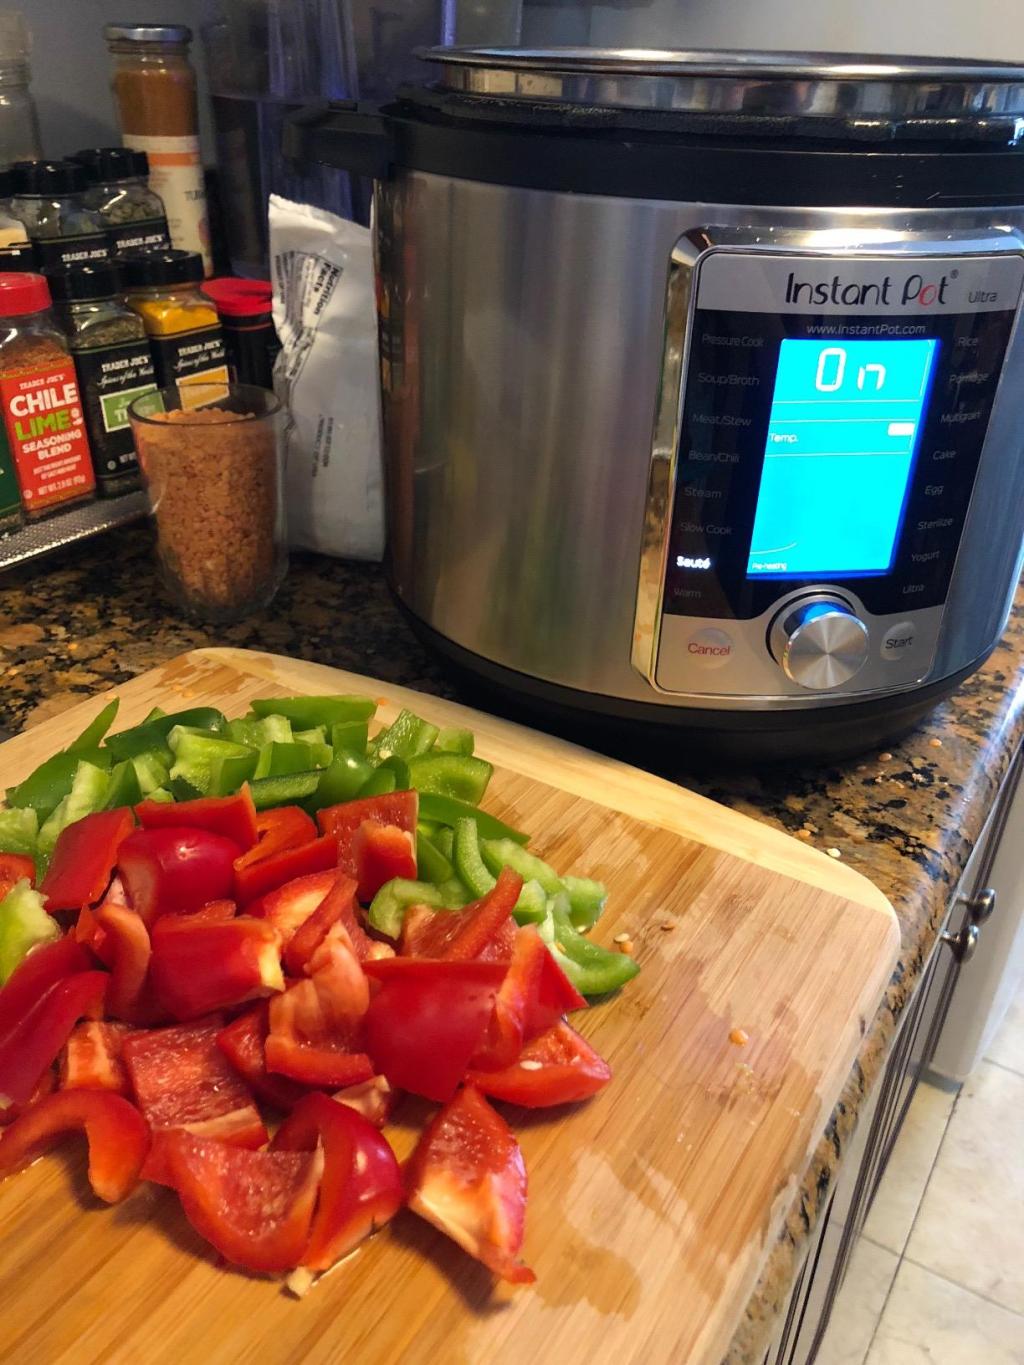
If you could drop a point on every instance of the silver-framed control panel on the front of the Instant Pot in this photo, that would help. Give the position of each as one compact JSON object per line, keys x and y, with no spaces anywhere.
{"x":832,"y":422}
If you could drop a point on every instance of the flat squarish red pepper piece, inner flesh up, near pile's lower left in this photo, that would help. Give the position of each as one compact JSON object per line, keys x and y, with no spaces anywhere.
{"x":182,"y":1080}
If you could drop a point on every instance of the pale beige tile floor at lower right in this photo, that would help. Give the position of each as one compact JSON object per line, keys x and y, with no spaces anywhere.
{"x":937,"y":1277}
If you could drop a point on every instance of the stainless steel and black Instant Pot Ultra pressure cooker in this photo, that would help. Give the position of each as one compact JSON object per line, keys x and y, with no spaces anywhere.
{"x":704,"y":387}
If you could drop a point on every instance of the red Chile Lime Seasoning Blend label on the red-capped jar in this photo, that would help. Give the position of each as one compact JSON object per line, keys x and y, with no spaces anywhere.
{"x":46,"y":428}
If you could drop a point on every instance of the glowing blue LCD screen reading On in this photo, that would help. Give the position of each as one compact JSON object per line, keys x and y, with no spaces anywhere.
{"x":843,"y":432}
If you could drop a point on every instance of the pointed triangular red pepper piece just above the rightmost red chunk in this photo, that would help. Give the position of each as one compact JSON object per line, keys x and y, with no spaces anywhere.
{"x":533,"y":997}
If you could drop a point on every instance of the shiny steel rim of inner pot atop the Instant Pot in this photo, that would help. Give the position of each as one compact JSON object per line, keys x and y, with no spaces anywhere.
{"x":805,"y":84}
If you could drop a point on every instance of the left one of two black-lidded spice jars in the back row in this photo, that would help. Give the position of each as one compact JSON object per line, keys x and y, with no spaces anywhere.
{"x":48,"y":200}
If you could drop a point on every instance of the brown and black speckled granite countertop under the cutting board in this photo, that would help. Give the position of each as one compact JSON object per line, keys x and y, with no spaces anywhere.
{"x":907,"y":818}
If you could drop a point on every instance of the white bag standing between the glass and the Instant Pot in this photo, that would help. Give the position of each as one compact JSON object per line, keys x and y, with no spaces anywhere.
{"x":328,"y":377}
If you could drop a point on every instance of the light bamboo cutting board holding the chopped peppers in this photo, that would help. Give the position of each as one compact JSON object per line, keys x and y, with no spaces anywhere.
{"x":652,"y":1207}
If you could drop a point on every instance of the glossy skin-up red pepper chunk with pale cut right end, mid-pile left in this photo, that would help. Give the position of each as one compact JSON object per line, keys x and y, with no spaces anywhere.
{"x":201,"y":966}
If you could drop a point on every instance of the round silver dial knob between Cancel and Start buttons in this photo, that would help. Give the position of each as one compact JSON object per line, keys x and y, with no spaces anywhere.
{"x":820,"y":642}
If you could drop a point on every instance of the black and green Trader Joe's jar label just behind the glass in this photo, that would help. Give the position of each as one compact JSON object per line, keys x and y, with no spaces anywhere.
{"x":113,"y":377}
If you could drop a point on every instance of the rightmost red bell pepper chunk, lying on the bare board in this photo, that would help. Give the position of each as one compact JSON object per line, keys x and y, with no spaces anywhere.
{"x":558,"y":1068}
